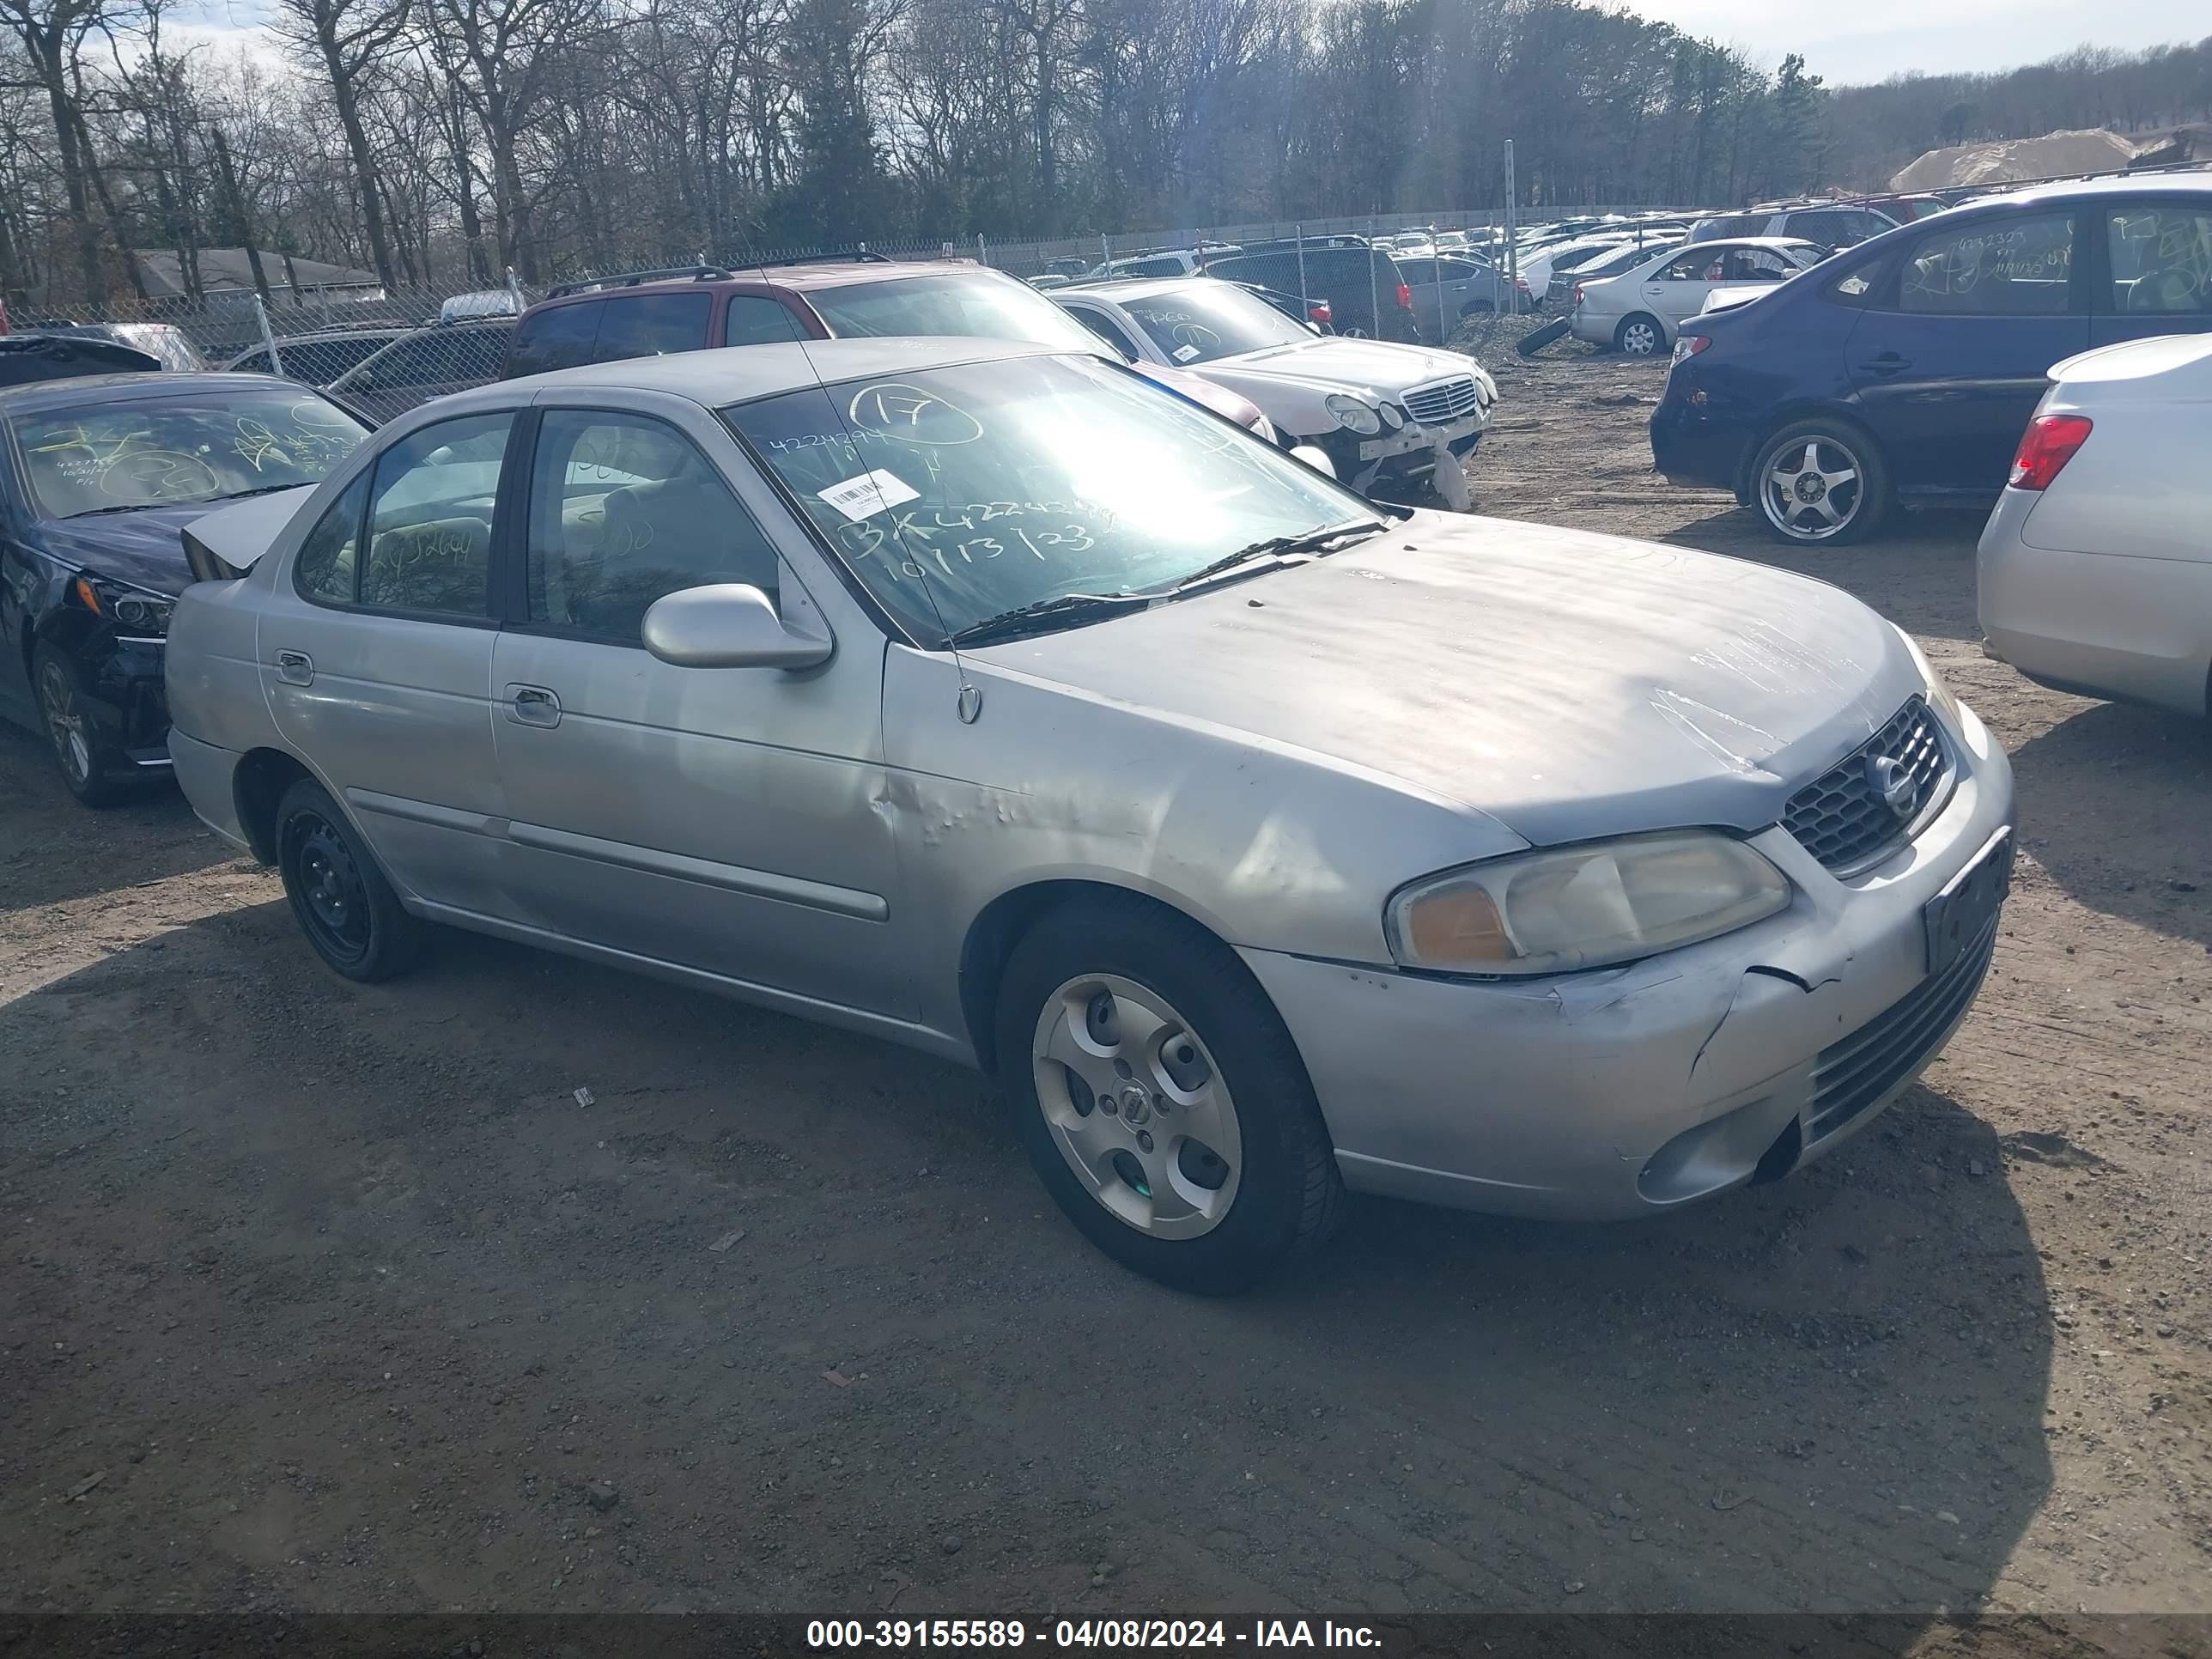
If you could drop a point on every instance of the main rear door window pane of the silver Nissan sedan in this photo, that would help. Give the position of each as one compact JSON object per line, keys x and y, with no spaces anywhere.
{"x":430,"y":519}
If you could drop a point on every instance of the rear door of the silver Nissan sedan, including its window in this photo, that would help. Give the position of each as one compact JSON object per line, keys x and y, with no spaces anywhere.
{"x":377,"y":658}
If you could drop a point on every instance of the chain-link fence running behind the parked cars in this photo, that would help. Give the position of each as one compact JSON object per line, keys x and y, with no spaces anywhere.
{"x":384,"y":351}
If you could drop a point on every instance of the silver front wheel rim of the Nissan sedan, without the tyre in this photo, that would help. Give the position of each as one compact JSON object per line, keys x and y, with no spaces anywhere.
{"x":1138,"y":1107}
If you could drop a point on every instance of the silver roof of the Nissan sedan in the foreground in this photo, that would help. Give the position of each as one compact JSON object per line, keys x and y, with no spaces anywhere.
{"x":744,"y":373}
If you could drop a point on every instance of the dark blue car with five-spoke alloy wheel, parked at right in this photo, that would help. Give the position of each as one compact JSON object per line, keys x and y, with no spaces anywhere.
{"x":1906,"y":371}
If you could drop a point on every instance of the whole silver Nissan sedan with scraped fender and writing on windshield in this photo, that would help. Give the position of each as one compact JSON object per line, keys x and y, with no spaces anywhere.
{"x":1260,"y":842}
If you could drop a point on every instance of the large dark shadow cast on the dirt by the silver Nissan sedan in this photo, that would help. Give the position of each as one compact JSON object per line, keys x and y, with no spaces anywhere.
{"x":722,"y":1246}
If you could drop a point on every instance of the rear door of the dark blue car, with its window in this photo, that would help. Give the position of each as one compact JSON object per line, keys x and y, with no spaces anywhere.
{"x":1950,"y":357}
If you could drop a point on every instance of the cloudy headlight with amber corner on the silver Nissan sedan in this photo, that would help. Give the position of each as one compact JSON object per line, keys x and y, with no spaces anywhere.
{"x":1574,"y":908}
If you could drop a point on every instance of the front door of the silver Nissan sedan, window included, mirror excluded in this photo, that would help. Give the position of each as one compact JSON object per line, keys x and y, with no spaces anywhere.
{"x":720,"y":820}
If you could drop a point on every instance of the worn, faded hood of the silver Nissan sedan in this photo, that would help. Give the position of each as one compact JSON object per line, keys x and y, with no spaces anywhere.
{"x":1561,"y":682}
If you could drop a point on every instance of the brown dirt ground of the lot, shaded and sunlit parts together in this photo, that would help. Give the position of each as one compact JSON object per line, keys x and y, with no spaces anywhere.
{"x":322,"y":1297}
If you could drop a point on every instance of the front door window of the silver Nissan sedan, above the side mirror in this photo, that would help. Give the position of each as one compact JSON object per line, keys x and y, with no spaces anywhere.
{"x":623,"y":512}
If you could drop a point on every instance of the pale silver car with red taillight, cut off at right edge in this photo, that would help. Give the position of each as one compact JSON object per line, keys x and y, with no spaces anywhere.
{"x":2094,"y":572}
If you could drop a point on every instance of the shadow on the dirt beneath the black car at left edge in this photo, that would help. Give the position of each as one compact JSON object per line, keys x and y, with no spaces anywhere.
{"x":54,"y":851}
